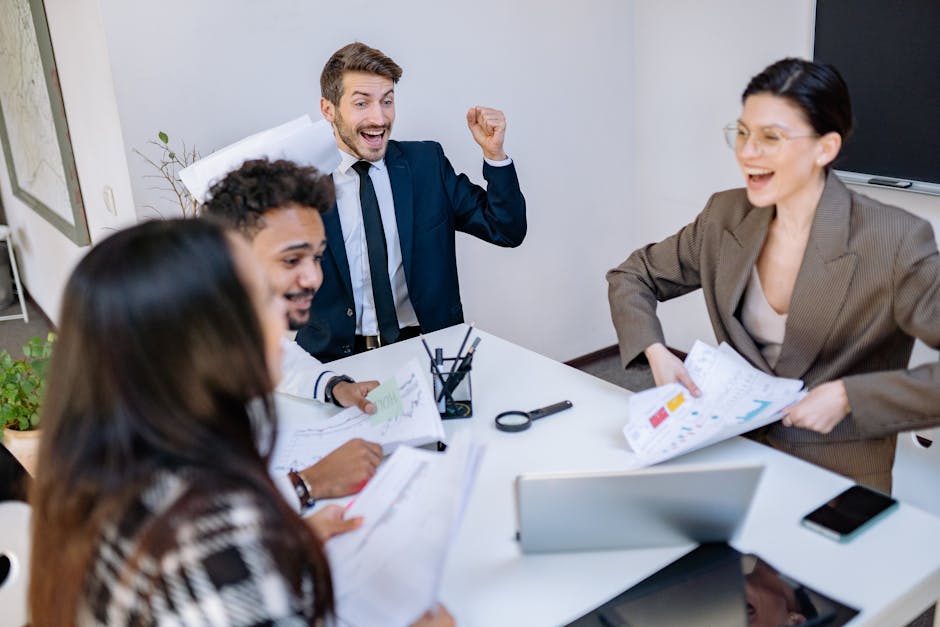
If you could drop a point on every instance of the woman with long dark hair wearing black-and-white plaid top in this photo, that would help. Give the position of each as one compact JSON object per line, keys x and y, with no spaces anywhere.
{"x":152,"y":502}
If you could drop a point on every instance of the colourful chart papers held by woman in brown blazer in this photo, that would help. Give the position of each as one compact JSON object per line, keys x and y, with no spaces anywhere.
{"x":736,"y":397}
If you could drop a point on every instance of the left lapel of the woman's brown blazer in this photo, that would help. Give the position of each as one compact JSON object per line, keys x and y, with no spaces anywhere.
{"x":738,"y":253}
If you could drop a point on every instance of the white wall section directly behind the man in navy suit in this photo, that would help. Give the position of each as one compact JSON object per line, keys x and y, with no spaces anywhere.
{"x":213,"y":71}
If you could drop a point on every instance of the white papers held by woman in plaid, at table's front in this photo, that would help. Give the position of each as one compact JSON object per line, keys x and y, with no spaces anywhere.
{"x":387,"y":571}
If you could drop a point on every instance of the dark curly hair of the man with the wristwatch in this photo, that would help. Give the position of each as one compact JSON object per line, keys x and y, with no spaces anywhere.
{"x":241,"y":199}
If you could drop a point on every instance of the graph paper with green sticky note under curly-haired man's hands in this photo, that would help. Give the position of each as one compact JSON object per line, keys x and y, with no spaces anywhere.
{"x":309,"y":430}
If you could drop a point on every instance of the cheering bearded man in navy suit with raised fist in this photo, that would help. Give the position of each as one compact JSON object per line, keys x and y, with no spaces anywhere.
{"x":390,"y":270}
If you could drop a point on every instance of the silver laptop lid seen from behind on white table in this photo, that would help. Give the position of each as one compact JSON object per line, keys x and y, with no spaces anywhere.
{"x":662,"y":506}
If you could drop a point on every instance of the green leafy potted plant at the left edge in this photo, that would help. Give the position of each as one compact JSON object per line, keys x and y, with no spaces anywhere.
{"x":22,"y":384}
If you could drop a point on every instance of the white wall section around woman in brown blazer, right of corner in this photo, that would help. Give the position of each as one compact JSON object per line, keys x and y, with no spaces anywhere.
{"x":693,"y":60}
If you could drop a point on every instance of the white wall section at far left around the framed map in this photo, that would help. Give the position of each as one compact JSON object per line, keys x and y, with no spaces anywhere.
{"x":46,"y":257}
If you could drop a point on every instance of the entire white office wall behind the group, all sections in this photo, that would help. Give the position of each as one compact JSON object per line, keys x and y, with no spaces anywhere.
{"x":615,"y":110}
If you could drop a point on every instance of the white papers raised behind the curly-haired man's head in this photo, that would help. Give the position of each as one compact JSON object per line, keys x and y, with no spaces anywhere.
{"x":300,"y":140}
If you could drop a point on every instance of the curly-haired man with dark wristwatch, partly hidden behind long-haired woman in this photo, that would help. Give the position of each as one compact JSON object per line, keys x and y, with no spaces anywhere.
{"x":277,"y":207}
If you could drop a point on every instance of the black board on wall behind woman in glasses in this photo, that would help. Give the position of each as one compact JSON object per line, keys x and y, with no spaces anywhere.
{"x":888,"y":51}
